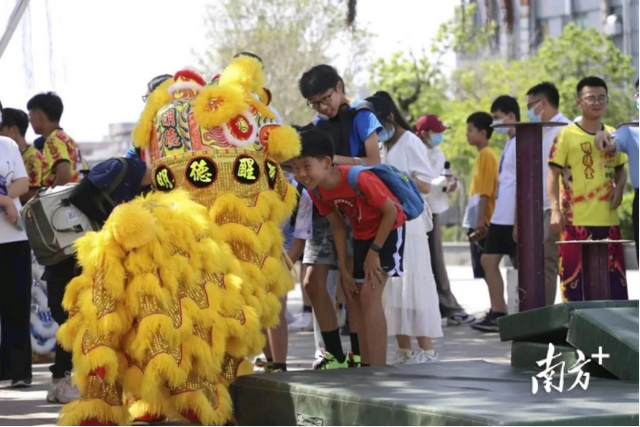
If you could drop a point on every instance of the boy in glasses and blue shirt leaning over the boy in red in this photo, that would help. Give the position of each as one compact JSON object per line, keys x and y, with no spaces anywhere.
{"x":354,"y":128}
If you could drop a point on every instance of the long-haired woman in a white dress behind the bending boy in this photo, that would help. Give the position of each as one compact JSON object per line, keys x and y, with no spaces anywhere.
{"x":410,"y":302}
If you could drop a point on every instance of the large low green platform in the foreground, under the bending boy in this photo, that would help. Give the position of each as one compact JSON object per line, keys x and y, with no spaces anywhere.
{"x":443,"y":394}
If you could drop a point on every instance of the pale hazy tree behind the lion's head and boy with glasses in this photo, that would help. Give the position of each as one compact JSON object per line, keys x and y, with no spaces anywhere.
{"x":290,"y":36}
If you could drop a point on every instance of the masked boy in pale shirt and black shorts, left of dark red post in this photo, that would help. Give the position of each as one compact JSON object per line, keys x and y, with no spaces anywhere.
{"x":500,"y":241}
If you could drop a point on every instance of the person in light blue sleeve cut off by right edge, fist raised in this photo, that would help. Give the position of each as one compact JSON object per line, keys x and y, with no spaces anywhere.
{"x":627,"y":140}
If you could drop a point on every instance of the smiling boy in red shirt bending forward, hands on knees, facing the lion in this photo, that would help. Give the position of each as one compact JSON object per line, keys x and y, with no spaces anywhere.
{"x":378,"y":228}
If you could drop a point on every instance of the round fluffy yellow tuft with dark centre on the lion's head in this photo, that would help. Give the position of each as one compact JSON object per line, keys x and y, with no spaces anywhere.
{"x":217,"y":105}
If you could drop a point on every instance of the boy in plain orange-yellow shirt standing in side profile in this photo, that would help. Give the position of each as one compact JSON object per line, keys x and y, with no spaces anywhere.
{"x":484,"y":186}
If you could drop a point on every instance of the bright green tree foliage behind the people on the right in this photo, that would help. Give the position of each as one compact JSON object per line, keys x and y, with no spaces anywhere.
{"x":474,"y":84}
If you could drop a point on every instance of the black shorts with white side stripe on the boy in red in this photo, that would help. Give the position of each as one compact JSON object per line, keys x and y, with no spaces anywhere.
{"x":391,"y":255}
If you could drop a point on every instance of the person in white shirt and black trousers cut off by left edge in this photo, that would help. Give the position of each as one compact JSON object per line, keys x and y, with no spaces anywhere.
{"x":15,"y":264}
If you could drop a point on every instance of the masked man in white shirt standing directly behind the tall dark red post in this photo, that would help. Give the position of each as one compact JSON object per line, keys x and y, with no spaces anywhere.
{"x":543,"y":101}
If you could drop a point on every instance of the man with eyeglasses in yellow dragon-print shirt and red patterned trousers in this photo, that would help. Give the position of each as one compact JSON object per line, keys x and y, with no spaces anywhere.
{"x":597,"y":184}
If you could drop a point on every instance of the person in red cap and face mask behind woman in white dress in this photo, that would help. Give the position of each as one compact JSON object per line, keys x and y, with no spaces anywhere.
{"x":430,"y":130}
